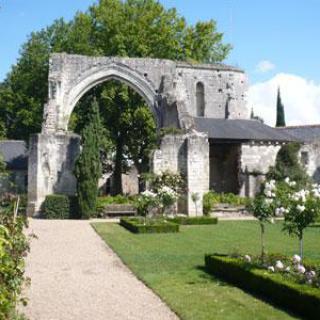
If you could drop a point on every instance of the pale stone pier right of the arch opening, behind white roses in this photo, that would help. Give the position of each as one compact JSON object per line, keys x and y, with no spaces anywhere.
{"x":188,"y":155}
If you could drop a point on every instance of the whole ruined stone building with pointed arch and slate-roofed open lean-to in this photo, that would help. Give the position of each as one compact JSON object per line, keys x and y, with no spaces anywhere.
{"x":221,"y":147}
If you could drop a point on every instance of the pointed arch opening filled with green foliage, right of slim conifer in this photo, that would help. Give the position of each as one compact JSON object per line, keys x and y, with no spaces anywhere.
{"x":129,"y":128}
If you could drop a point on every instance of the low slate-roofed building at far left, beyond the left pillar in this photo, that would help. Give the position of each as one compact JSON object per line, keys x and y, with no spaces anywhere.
{"x":15,"y":156}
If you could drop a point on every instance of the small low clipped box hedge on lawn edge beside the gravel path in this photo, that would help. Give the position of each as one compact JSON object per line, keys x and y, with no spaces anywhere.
{"x":136,"y":225}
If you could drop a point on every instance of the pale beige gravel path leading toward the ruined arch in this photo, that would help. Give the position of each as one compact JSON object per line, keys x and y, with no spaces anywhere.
{"x":75,"y":275}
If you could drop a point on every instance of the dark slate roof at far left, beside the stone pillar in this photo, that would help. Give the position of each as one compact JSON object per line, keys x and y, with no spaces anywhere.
{"x":15,"y":154}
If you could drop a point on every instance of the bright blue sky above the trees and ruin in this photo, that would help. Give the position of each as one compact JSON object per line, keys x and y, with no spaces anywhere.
{"x":270,"y":38}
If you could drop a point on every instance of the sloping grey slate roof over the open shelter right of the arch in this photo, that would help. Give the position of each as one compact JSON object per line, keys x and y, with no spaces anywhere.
{"x":242,"y":130}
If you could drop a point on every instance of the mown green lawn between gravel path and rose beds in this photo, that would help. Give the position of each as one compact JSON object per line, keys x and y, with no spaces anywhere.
{"x":172,"y":265}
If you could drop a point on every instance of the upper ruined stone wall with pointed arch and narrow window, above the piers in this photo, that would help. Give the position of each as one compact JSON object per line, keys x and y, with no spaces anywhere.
{"x":169,"y":88}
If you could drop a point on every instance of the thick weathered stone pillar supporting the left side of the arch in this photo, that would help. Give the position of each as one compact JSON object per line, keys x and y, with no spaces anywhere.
{"x":51,"y":162}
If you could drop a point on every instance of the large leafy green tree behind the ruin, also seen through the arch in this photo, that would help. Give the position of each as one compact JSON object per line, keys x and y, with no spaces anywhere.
{"x":131,"y":28}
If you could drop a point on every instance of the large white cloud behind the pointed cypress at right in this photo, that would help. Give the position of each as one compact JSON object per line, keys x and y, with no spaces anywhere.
{"x":300,"y":97}
